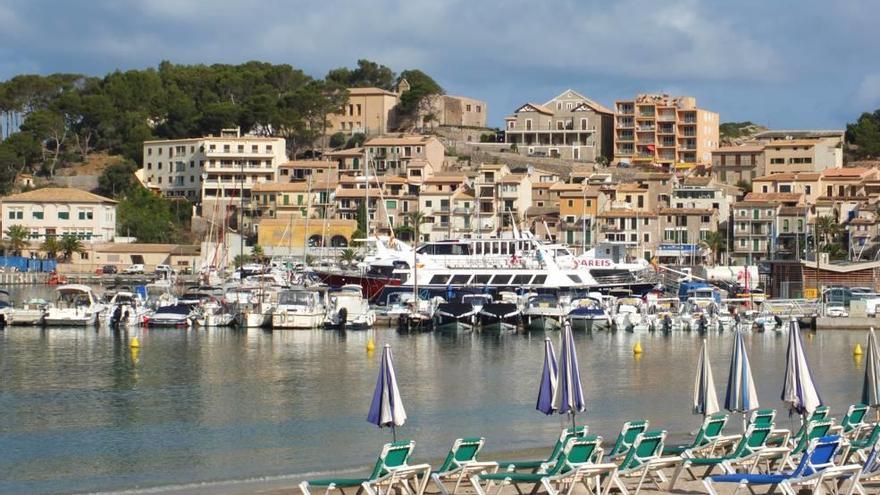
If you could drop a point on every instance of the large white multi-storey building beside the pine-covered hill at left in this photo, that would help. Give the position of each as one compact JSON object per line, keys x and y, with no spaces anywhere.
{"x":211,"y":169}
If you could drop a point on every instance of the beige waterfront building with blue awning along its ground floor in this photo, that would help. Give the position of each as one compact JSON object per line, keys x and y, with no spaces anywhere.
{"x":683,"y":231}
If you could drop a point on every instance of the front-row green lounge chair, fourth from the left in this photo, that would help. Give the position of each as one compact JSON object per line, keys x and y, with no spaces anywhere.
{"x":643,"y":460}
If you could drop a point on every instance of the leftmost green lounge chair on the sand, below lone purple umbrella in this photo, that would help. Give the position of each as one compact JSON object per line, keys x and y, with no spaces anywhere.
{"x":391,"y":471}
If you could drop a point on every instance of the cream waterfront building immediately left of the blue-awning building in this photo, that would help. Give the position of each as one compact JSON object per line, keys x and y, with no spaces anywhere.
{"x":637,"y":232}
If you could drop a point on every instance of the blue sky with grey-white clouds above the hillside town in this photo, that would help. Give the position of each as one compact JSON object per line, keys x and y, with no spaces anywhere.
{"x":806,"y":64}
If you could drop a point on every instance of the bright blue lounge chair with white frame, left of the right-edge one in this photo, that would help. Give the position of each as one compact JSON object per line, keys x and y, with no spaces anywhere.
{"x":815,"y":469}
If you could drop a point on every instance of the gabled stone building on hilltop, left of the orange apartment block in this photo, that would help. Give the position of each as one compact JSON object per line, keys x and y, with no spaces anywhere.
{"x":569,"y":126}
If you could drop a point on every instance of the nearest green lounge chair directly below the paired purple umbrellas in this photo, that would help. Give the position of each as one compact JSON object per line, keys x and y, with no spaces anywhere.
{"x":576,"y":464}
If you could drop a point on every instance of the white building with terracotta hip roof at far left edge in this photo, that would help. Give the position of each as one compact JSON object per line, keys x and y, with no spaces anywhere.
{"x":59,"y":211}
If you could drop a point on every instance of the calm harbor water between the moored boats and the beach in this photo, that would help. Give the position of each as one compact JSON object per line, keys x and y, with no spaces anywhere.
{"x":81,"y":412}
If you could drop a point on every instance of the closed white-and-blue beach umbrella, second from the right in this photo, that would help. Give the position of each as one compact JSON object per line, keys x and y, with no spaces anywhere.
{"x":798,"y":390}
